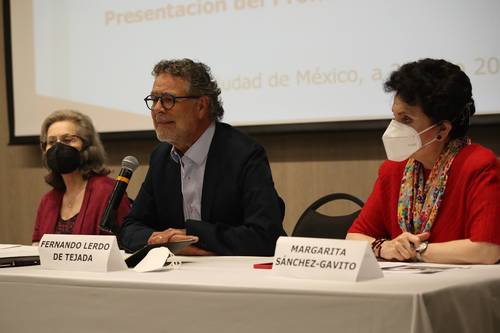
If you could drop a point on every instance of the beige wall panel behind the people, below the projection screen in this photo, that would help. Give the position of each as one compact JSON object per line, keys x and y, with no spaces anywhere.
{"x":305,"y":167}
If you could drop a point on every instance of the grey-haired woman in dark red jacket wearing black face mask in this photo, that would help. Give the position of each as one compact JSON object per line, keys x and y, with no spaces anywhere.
{"x":74,"y":156}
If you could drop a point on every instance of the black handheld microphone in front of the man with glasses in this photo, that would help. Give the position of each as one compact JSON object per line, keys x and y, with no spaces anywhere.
{"x":108,"y":220}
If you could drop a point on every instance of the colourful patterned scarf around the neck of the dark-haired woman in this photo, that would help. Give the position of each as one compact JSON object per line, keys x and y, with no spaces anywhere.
{"x":419,"y":200}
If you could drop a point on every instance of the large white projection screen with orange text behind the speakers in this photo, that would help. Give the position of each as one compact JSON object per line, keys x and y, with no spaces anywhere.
{"x":278,"y":62}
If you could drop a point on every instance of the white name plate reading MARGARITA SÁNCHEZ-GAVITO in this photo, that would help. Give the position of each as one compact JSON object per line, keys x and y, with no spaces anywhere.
{"x":328,"y":259}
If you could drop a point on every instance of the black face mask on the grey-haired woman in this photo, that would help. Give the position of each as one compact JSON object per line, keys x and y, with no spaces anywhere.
{"x":62,"y":158}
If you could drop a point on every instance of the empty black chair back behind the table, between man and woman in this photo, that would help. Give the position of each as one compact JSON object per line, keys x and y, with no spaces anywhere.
{"x":314,"y":224}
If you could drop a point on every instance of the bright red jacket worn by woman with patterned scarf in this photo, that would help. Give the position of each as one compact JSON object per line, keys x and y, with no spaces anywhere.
{"x":470,"y":207}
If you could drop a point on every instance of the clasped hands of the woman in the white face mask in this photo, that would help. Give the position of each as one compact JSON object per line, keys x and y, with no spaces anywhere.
{"x":403,"y":247}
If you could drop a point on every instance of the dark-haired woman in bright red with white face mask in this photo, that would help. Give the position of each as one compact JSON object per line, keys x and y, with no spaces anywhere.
{"x":437,"y":199}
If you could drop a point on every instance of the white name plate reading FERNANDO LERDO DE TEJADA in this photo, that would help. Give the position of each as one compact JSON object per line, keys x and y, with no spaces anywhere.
{"x":88,"y":253}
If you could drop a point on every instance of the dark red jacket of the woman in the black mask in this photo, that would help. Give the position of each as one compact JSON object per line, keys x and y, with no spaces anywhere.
{"x":97,"y":193}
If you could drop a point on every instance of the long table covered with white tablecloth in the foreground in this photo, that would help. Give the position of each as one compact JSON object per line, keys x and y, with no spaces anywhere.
{"x":226,"y":294}
